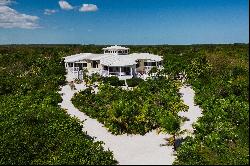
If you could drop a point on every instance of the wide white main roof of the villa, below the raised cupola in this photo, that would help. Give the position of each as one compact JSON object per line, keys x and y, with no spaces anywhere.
{"x":113,"y":60}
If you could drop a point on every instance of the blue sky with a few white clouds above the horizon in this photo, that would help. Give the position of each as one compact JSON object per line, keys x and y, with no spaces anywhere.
{"x":124,"y":22}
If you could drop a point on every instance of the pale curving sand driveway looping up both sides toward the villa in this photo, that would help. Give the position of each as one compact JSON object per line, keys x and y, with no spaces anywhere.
{"x":132,"y":149}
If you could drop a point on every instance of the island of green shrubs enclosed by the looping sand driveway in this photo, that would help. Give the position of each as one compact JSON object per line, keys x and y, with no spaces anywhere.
{"x":148,"y":106}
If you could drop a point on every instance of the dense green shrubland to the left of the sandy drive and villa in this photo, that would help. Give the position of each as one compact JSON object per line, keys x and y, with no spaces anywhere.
{"x":34,"y":130}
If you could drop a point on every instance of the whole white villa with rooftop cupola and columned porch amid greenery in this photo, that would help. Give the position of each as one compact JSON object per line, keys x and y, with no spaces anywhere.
{"x":115,"y":60}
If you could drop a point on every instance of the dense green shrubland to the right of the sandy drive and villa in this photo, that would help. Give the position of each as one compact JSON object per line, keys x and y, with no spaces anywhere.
{"x":219,"y":76}
